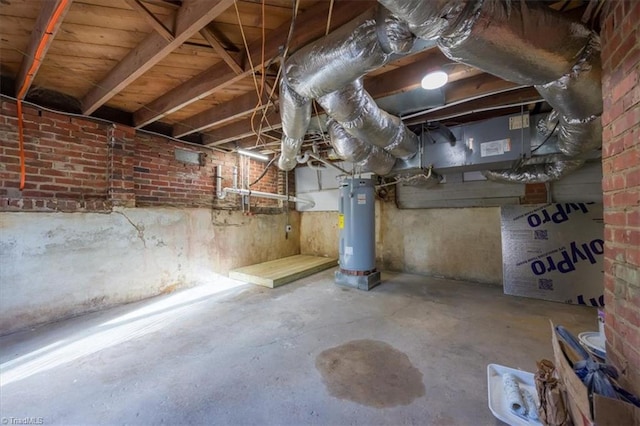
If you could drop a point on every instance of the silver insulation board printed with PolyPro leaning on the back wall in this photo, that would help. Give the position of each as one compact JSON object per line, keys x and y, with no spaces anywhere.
{"x":554,"y":252}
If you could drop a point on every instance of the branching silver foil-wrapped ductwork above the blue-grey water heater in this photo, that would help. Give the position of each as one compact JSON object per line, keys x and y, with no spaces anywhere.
{"x":327,"y":69}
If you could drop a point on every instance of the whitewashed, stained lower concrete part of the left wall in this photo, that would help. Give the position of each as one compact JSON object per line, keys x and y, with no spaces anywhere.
{"x":56,"y":265}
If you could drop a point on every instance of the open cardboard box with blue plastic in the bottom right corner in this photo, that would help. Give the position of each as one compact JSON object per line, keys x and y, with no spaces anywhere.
{"x":606,"y":411}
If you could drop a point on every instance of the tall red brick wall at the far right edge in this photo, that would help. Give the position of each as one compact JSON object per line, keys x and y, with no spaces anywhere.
{"x":621,"y":185}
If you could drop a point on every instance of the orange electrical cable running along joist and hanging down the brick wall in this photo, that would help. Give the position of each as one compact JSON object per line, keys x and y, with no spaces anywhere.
{"x":44,"y":41}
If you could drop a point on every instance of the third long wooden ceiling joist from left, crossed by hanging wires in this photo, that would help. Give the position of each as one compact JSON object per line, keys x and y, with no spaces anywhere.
{"x":310,"y":25}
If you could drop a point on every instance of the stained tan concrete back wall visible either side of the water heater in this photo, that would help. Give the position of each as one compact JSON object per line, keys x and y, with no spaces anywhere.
{"x":460,"y":243}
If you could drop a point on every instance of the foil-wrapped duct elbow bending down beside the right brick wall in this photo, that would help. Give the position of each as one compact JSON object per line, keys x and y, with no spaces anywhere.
{"x":578,"y":93}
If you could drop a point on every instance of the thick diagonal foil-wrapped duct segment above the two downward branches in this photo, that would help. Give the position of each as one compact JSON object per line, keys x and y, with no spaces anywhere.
{"x":346,"y":54}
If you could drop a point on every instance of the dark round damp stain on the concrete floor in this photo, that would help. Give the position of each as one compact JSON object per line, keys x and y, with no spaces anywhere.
{"x":370,"y":372}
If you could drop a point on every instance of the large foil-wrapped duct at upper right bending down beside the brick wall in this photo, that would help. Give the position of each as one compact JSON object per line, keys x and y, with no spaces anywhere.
{"x":527,"y":43}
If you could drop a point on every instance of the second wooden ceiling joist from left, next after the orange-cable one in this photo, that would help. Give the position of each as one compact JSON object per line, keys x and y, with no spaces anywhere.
{"x":191,"y":17}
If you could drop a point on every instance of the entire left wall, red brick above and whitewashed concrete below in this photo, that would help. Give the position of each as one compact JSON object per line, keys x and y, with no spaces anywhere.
{"x":108,"y":216}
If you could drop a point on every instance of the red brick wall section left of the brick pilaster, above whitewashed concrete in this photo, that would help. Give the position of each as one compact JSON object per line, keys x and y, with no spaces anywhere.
{"x":66,"y":162}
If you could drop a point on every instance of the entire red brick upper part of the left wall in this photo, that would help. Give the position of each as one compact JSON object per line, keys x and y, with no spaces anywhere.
{"x":77,"y":164}
